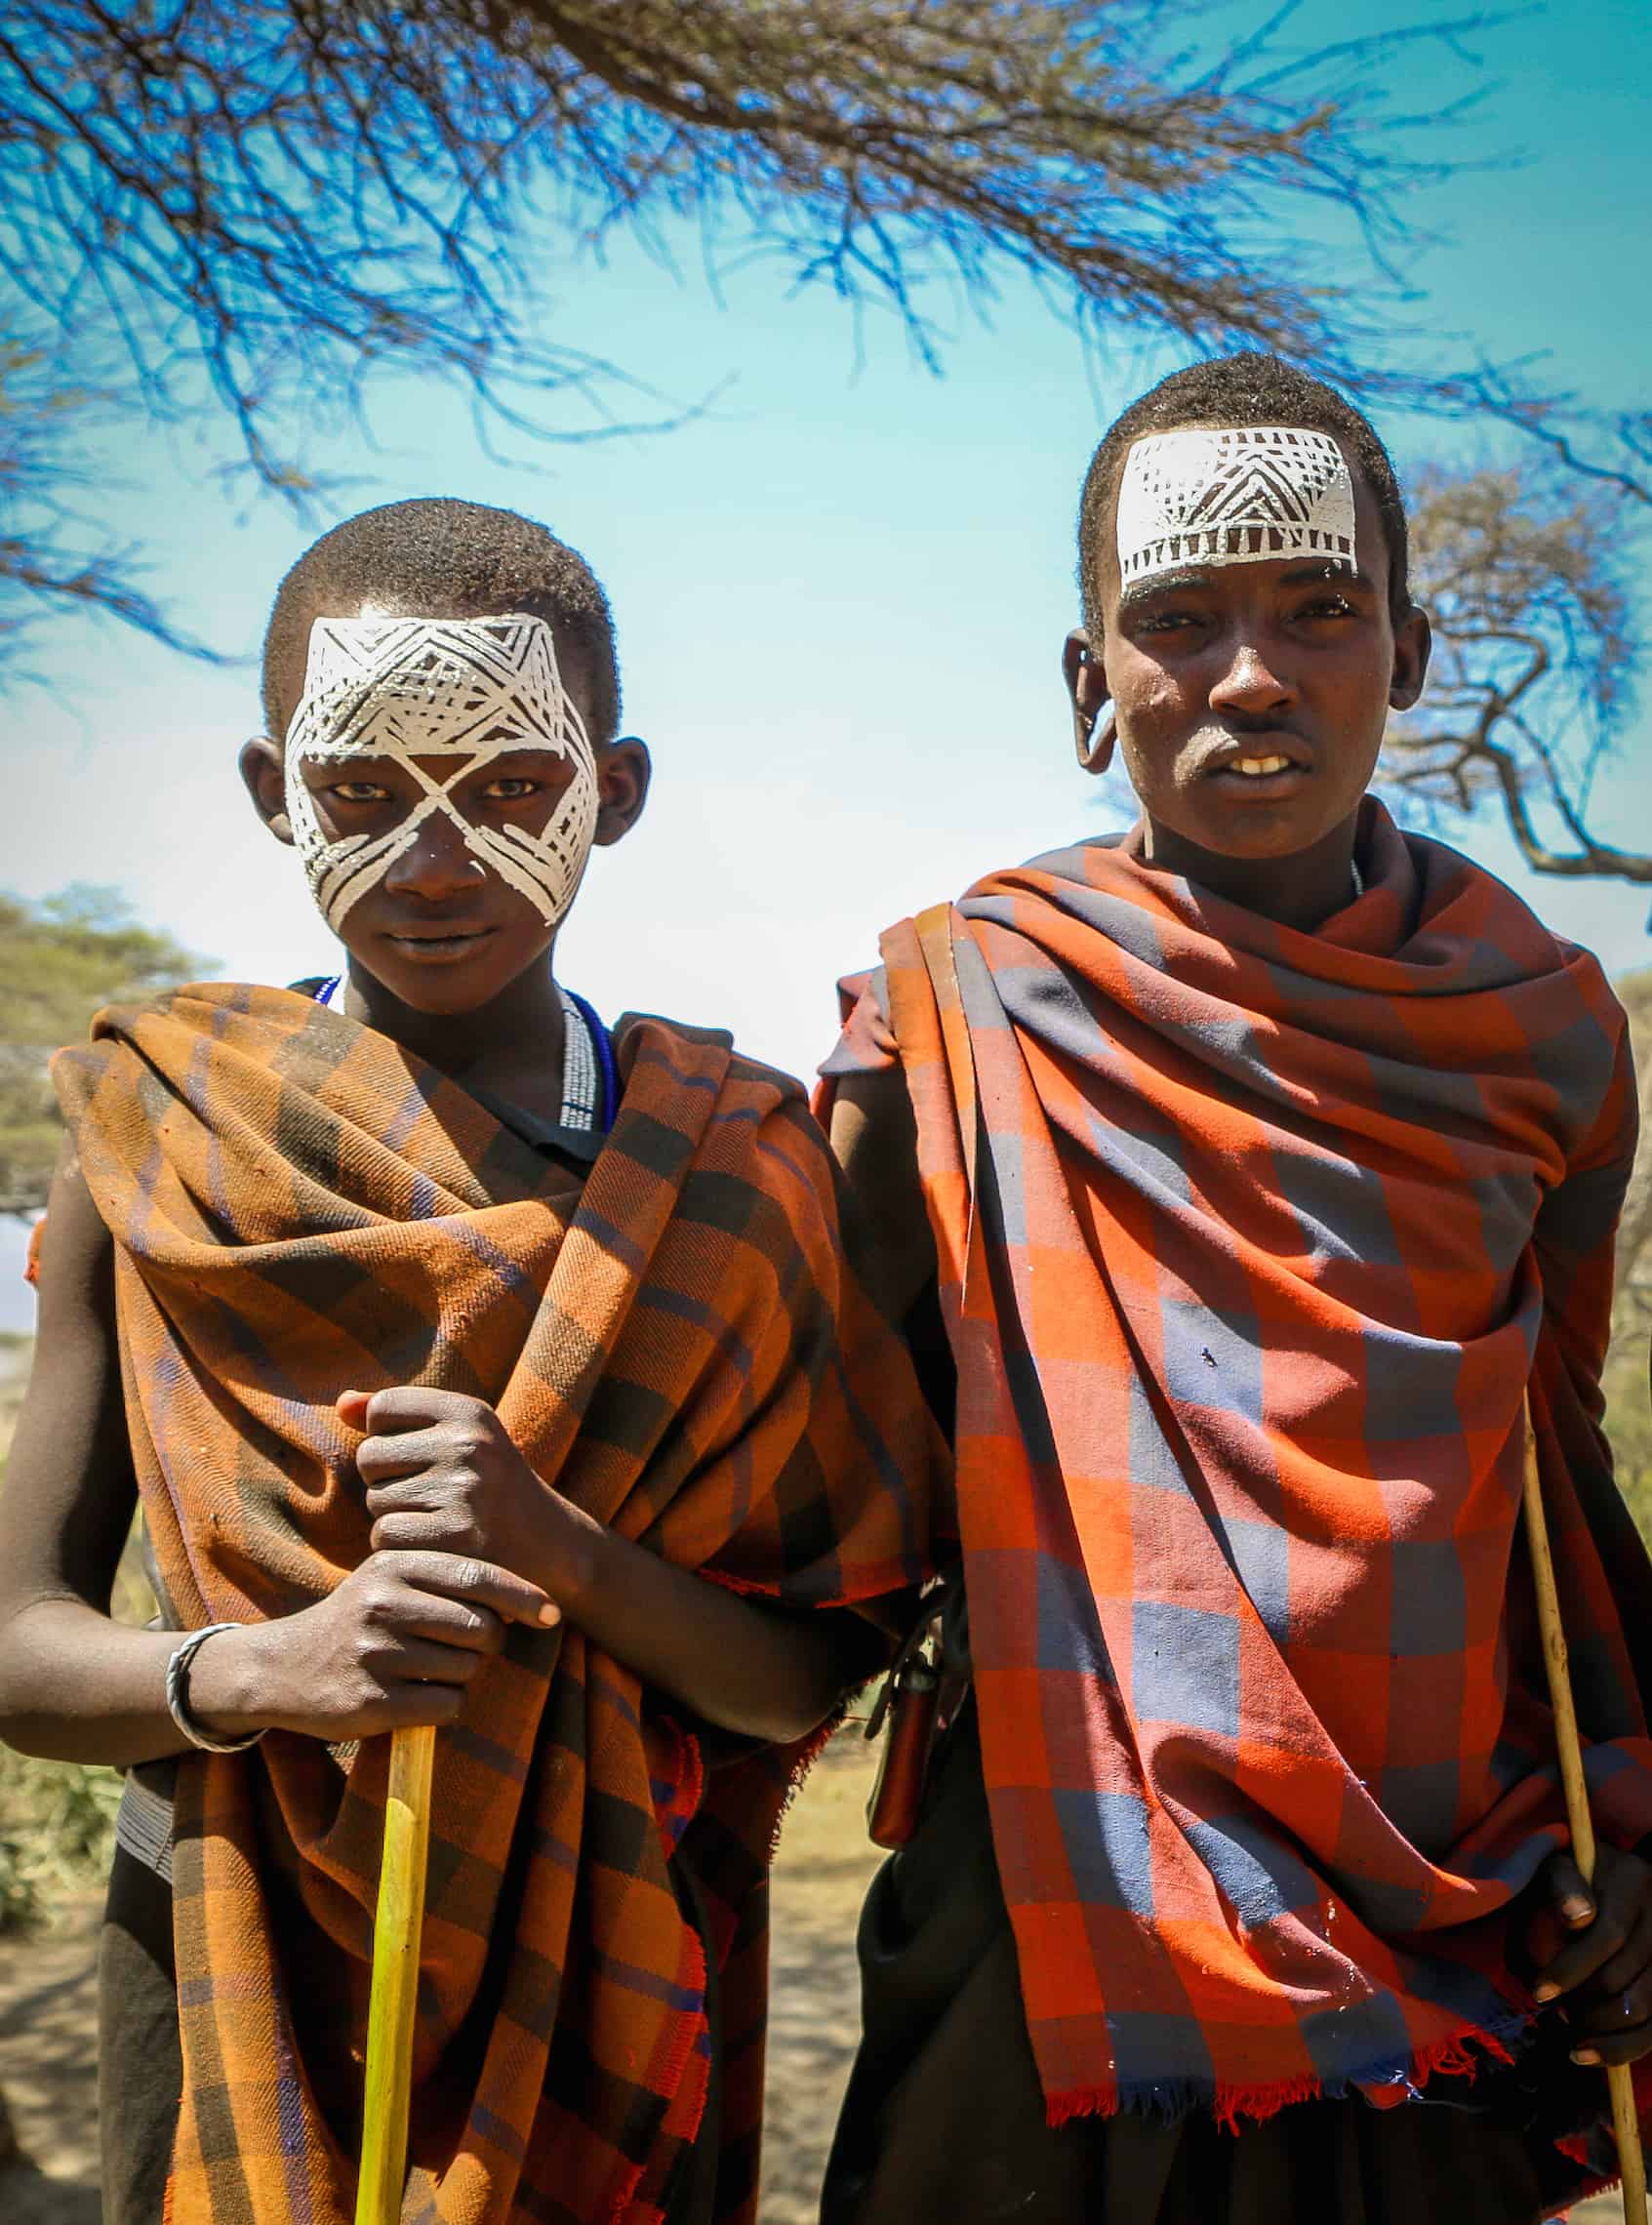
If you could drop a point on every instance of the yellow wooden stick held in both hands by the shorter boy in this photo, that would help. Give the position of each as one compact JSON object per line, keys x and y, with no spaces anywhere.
{"x":395,"y":1999}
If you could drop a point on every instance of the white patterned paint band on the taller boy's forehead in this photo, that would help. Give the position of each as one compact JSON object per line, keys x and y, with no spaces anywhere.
{"x":1233,"y":495}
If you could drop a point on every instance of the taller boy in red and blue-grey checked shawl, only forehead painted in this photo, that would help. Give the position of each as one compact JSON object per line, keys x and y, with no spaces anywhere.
{"x":1260,"y":1160}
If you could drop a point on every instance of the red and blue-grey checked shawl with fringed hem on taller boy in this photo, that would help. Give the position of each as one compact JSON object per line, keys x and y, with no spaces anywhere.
{"x":1248,"y":1247}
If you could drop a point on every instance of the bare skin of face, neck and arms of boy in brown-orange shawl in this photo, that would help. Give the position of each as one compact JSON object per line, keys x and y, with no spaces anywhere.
{"x":457,"y":967}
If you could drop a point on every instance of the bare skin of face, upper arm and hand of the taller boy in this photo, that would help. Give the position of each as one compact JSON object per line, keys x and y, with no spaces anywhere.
{"x":1193,"y":678}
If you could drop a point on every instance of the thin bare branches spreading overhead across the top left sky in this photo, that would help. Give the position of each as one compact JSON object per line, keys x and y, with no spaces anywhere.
{"x":268,"y":201}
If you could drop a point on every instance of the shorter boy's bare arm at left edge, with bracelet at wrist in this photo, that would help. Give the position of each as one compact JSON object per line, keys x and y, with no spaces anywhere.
{"x":397,"y":1643}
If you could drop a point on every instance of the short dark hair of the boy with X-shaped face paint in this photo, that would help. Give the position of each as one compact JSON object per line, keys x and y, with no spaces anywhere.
{"x":448,"y":560}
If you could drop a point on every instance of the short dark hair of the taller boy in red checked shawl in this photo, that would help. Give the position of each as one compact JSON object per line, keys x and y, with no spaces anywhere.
{"x":1244,"y":390}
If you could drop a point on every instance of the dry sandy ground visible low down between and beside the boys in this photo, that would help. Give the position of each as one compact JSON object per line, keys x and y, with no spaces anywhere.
{"x":48,"y":2021}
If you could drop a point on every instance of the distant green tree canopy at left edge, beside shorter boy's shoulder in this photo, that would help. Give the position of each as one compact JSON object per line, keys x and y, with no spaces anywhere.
{"x":59,"y":962}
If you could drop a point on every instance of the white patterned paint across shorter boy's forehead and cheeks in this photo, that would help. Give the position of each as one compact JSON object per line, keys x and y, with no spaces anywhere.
{"x":466,"y":689}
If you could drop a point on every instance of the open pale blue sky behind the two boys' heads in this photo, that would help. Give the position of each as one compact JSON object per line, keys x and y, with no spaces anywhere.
{"x":839,"y":593}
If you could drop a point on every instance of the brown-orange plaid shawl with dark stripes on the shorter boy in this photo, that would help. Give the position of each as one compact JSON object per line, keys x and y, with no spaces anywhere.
{"x":301,"y":1207}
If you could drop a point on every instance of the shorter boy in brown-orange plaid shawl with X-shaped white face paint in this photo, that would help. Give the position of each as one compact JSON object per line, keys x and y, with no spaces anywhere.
{"x":479,"y":1369}
